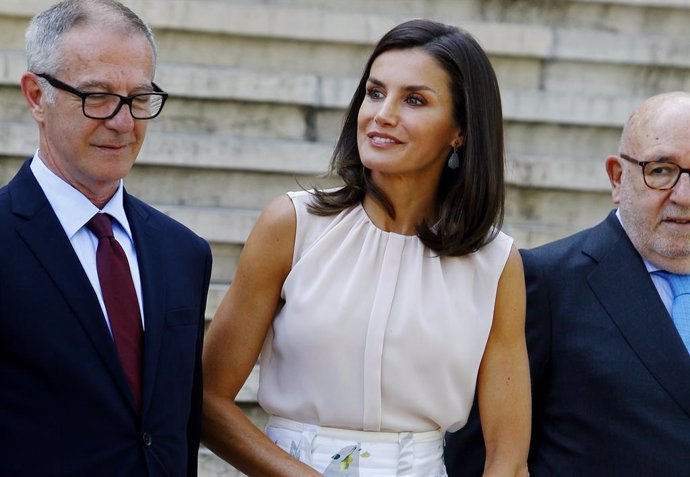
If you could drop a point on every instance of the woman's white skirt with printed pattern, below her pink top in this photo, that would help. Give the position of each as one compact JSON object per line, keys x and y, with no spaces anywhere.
{"x":342,"y":452}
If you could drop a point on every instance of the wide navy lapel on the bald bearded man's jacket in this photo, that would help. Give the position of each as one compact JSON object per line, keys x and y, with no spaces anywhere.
{"x":623,"y":286}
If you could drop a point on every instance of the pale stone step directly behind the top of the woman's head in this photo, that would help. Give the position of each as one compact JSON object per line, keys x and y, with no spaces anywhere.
{"x":323,"y":25}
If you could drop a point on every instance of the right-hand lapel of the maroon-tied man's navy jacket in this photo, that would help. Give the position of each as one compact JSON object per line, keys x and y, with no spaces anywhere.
{"x":147,"y":239}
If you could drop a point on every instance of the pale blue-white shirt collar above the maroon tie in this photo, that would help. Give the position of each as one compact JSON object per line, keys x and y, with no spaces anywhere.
{"x":72,"y":208}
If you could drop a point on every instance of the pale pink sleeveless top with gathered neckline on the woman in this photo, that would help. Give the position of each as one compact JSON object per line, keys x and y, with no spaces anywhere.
{"x":376,"y":333}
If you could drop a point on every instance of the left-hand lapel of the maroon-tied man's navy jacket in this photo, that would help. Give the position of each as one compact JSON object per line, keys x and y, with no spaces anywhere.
{"x":40,"y":229}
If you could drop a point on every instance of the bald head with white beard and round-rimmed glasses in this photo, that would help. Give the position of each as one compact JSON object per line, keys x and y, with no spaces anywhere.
{"x":655,"y":141}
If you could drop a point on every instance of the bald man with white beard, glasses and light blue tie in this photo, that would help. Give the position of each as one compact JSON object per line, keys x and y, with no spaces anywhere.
{"x":608,"y":321}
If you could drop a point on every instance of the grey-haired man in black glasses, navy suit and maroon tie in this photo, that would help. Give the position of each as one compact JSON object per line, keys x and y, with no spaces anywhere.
{"x":102,"y":297}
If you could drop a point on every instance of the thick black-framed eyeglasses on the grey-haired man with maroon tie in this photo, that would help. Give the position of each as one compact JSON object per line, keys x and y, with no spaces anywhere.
{"x":107,"y":105}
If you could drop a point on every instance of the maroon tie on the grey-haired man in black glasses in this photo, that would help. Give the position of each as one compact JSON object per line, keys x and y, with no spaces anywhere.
{"x":120,"y":300}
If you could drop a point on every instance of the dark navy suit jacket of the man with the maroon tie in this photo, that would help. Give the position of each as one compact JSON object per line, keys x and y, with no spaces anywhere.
{"x":65,"y":406}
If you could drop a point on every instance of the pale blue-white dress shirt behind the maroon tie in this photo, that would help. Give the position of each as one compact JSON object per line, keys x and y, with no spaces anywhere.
{"x":73,"y":210}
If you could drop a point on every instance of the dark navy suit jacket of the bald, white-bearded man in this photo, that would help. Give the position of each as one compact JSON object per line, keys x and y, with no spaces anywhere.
{"x":610,"y":374}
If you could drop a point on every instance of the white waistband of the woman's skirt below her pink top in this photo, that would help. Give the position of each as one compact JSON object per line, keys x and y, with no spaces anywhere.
{"x":349,"y":434}
